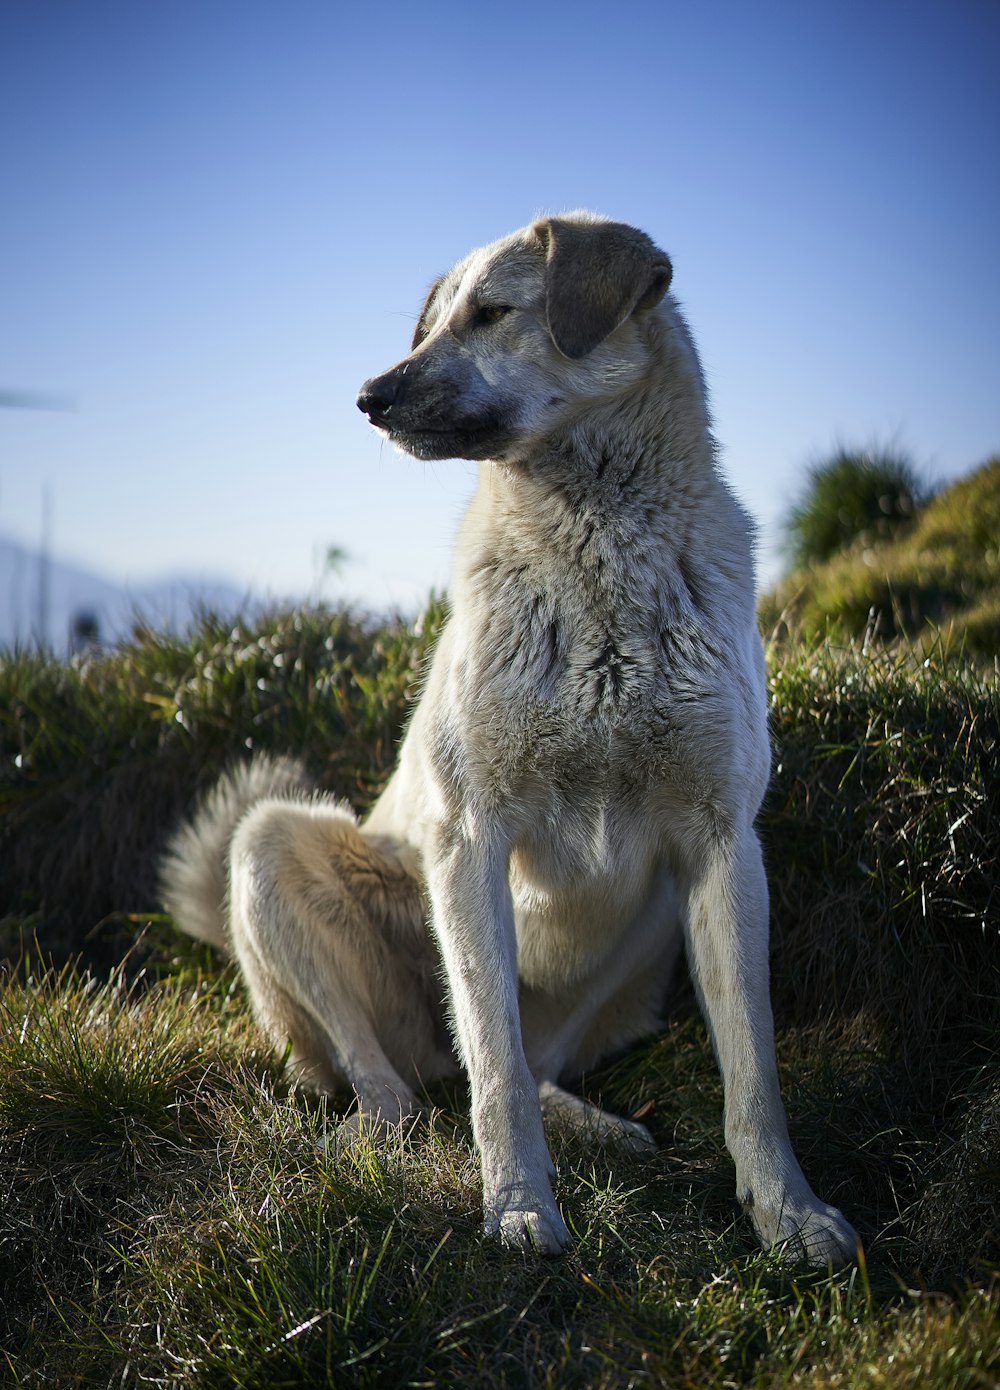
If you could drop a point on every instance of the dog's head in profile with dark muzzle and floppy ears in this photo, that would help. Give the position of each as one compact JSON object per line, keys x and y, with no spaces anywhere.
{"x":519,"y":337}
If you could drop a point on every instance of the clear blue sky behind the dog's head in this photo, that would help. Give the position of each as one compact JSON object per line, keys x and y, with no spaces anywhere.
{"x":220,"y":216}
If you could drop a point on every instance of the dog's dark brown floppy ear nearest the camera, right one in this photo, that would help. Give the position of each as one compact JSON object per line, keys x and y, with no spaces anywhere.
{"x":597,"y":275}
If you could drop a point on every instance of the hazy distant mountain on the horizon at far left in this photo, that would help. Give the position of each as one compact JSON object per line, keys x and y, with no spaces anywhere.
{"x":69,"y":601}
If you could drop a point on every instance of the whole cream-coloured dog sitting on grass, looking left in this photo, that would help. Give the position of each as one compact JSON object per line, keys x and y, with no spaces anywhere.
{"x":576,"y":792}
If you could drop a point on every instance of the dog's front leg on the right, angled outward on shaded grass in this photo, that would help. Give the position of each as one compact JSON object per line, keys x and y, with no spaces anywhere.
{"x":728,"y":946}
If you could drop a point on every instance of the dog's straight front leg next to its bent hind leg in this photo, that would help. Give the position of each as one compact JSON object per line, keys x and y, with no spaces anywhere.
{"x":474,"y":918}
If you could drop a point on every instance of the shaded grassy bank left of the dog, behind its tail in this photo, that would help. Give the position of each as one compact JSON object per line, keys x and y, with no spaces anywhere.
{"x":101,"y":758}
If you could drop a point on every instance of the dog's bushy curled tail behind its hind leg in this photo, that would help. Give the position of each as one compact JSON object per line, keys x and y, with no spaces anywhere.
{"x":194,"y":871}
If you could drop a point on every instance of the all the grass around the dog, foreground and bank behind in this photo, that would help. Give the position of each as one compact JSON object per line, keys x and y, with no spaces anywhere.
{"x":166,"y":1216}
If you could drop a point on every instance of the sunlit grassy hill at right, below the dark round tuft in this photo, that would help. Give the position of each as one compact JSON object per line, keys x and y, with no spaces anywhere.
{"x":939,"y":579}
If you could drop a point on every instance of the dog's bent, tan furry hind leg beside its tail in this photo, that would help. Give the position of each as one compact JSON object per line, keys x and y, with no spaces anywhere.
{"x":329,"y":931}
